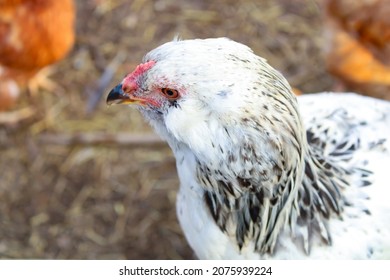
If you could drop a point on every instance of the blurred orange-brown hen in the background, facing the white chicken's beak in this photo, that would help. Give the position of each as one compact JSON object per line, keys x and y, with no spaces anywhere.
{"x":33,"y":35}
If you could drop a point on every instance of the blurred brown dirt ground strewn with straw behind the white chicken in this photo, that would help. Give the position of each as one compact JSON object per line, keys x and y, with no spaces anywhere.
{"x":71,"y":184}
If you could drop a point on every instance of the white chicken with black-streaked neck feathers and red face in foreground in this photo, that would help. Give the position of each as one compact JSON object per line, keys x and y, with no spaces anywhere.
{"x":263,"y":176}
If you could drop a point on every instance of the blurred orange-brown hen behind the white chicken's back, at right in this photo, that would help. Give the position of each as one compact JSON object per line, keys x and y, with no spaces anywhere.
{"x":358,"y":50}
